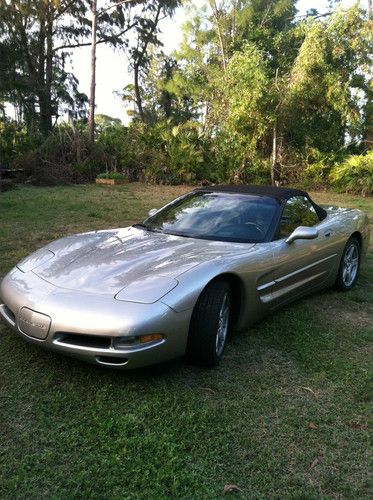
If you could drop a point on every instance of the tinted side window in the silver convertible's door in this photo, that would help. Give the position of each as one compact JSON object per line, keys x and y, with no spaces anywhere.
{"x":298,"y":211}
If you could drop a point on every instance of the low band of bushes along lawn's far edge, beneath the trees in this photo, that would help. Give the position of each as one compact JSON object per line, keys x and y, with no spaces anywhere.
{"x":163,"y":153}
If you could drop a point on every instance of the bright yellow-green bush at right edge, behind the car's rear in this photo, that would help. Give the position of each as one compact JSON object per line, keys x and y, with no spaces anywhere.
{"x":354,"y":175}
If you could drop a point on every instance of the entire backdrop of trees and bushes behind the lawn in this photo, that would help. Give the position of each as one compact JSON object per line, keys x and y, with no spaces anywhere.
{"x":254,"y":93}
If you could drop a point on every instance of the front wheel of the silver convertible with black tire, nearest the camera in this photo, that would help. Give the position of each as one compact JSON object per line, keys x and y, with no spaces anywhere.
{"x":209,"y":325}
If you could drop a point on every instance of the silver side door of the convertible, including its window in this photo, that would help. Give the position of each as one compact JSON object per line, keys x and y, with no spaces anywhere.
{"x":303,"y":265}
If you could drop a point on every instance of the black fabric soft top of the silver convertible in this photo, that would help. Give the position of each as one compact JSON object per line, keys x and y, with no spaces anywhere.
{"x":279,"y":193}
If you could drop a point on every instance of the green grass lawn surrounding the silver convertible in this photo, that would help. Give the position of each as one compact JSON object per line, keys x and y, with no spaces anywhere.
{"x":72,"y":430}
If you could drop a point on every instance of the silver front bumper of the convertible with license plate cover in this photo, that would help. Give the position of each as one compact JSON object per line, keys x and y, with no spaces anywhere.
{"x":86,"y":326}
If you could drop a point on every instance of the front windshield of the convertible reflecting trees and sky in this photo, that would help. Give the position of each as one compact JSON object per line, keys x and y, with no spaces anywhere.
{"x":216,"y":216}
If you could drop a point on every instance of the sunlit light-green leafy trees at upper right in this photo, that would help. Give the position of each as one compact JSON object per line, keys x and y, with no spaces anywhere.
{"x":308,"y":78}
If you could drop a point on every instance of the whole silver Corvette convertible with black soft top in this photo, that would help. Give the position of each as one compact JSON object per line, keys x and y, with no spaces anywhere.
{"x":217,"y":258}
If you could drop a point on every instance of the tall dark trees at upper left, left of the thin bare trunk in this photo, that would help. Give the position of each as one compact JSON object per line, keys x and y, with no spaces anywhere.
{"x":33,"y":36}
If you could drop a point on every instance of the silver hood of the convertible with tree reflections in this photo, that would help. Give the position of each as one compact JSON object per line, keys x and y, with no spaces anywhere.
{"x":107,"y":261}
